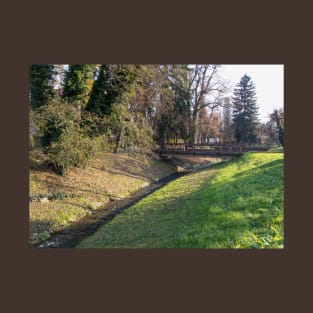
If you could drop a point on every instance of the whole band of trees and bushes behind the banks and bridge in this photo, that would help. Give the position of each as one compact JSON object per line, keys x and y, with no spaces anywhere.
{"x":83,"y":109}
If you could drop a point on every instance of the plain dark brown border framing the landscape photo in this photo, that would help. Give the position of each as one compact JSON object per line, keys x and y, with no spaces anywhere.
{"x":154,"y":280}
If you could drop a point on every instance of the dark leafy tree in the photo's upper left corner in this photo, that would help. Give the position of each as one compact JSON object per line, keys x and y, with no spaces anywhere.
{"x":41,"y":87}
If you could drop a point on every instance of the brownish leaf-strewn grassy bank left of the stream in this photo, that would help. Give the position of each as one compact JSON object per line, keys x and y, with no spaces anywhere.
{"x":57,"y":201}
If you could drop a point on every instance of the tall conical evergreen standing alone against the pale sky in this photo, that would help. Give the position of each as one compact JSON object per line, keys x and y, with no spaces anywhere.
{"x":245,"y":111}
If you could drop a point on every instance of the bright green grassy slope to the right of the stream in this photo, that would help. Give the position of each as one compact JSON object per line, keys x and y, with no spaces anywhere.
{"x":238,"y":204}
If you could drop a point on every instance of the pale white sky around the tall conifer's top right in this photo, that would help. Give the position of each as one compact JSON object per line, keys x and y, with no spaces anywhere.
{"x":268,"y":80}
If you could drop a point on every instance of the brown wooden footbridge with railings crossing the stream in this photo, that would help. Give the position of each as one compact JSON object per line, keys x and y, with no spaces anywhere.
{"x":228,"y":149}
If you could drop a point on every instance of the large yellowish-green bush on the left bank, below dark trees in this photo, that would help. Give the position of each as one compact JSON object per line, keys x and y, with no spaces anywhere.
{"x":65,"y":141}
